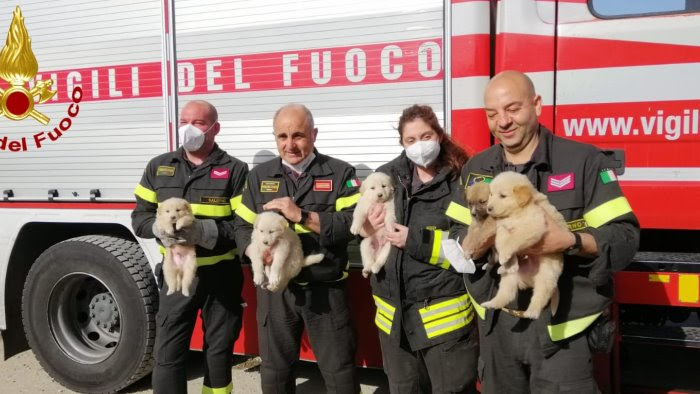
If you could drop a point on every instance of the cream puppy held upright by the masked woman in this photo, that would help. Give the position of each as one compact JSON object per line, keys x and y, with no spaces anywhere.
{"x":377,"y":188}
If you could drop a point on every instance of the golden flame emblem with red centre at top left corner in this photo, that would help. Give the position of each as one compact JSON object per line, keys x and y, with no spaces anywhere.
{"x":18,"y":65}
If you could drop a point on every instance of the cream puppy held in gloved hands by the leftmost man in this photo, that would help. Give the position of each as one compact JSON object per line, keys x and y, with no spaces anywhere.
{"x":180,"y":264}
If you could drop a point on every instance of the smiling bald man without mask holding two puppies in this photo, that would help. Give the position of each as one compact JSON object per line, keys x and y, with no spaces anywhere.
{"x":553,"y":353}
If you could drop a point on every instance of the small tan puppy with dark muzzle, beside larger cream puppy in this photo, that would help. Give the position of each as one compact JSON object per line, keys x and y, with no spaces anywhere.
{"x":483,"y":225}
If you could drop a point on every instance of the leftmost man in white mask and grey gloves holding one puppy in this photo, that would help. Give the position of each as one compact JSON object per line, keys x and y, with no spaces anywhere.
{"x":212,"y":181}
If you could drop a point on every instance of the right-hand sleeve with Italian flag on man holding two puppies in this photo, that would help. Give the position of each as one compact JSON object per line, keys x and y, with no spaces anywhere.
{"x":609,"y":218}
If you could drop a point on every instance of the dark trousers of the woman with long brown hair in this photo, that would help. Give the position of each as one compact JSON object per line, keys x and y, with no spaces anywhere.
{"x":448,"y":367}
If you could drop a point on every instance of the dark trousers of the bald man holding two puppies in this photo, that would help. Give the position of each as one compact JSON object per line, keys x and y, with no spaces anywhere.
{"x":512,"y":360}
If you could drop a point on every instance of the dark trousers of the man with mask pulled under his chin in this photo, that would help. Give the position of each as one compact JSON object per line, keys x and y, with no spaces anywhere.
{"x":323,"y":309}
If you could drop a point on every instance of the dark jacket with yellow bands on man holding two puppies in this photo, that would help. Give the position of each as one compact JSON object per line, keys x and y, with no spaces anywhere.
{"x":579,"y":180}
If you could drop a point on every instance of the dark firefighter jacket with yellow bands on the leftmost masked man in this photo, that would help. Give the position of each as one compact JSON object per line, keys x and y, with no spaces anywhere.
{"x":213,"y":190}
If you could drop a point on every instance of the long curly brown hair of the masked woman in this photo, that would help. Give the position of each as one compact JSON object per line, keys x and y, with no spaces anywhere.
{"x":451,"y":155}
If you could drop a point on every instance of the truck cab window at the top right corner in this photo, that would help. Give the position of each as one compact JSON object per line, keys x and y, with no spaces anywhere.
{"x":625,"y":8}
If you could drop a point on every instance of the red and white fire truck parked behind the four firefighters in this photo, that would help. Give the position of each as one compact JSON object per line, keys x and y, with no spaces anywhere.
{"x":79,"y":124}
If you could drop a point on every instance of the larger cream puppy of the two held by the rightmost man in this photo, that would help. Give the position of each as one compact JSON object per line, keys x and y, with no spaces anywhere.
{"x":520,"y":212}
